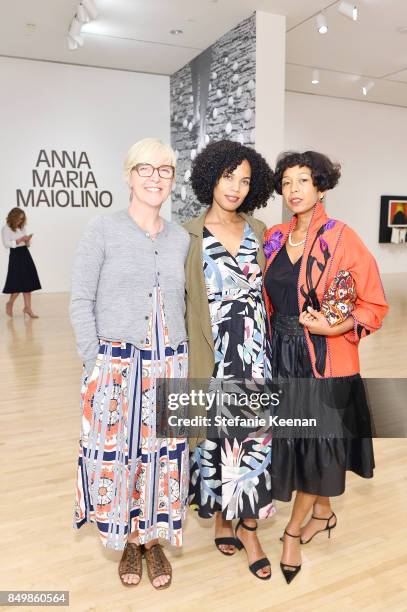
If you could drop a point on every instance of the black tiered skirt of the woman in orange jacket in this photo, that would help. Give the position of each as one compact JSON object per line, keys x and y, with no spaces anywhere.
{"x":315,"y":461}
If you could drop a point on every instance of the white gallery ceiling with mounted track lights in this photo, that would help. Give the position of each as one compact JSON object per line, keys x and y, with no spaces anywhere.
{"x":135,"y":35}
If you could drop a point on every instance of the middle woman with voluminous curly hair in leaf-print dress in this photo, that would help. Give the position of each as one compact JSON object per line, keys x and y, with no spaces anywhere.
{"x":226,"y":323}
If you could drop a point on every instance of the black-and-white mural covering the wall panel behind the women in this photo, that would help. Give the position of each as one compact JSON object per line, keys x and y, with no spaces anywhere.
{"x":212,"y":97}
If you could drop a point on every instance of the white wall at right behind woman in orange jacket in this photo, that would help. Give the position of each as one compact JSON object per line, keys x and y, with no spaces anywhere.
{"x":370,"y":141}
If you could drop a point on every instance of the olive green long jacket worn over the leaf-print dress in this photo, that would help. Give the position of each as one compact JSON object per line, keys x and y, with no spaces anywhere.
{"x":201,"y":360}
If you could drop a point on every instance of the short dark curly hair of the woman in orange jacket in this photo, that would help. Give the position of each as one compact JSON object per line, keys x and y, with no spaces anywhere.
{"x":325,"y":173}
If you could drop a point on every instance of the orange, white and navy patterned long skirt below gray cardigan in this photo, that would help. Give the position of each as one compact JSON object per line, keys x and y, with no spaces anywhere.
{"x":127,"y":478}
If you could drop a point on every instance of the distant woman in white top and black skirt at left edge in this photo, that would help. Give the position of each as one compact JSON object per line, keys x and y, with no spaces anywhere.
{"x":22,"y":276}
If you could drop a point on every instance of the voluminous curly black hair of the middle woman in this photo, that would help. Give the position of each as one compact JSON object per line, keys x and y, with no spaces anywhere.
{"x":226,"y":155}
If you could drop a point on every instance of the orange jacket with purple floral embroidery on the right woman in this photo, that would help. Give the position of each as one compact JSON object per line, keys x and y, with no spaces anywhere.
{"x":330,"y":247}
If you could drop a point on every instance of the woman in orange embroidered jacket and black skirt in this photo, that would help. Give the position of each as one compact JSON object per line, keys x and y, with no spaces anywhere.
{"x":323,"y":294}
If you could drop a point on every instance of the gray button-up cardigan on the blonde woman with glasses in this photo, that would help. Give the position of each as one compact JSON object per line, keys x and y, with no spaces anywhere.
{"x":115,"y":269}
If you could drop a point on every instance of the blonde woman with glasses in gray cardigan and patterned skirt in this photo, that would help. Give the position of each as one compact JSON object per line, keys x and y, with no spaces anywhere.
{"x":127,"y":310}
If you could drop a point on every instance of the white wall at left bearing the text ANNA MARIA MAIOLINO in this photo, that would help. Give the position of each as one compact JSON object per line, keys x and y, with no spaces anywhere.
{"x":94,"y":115}
